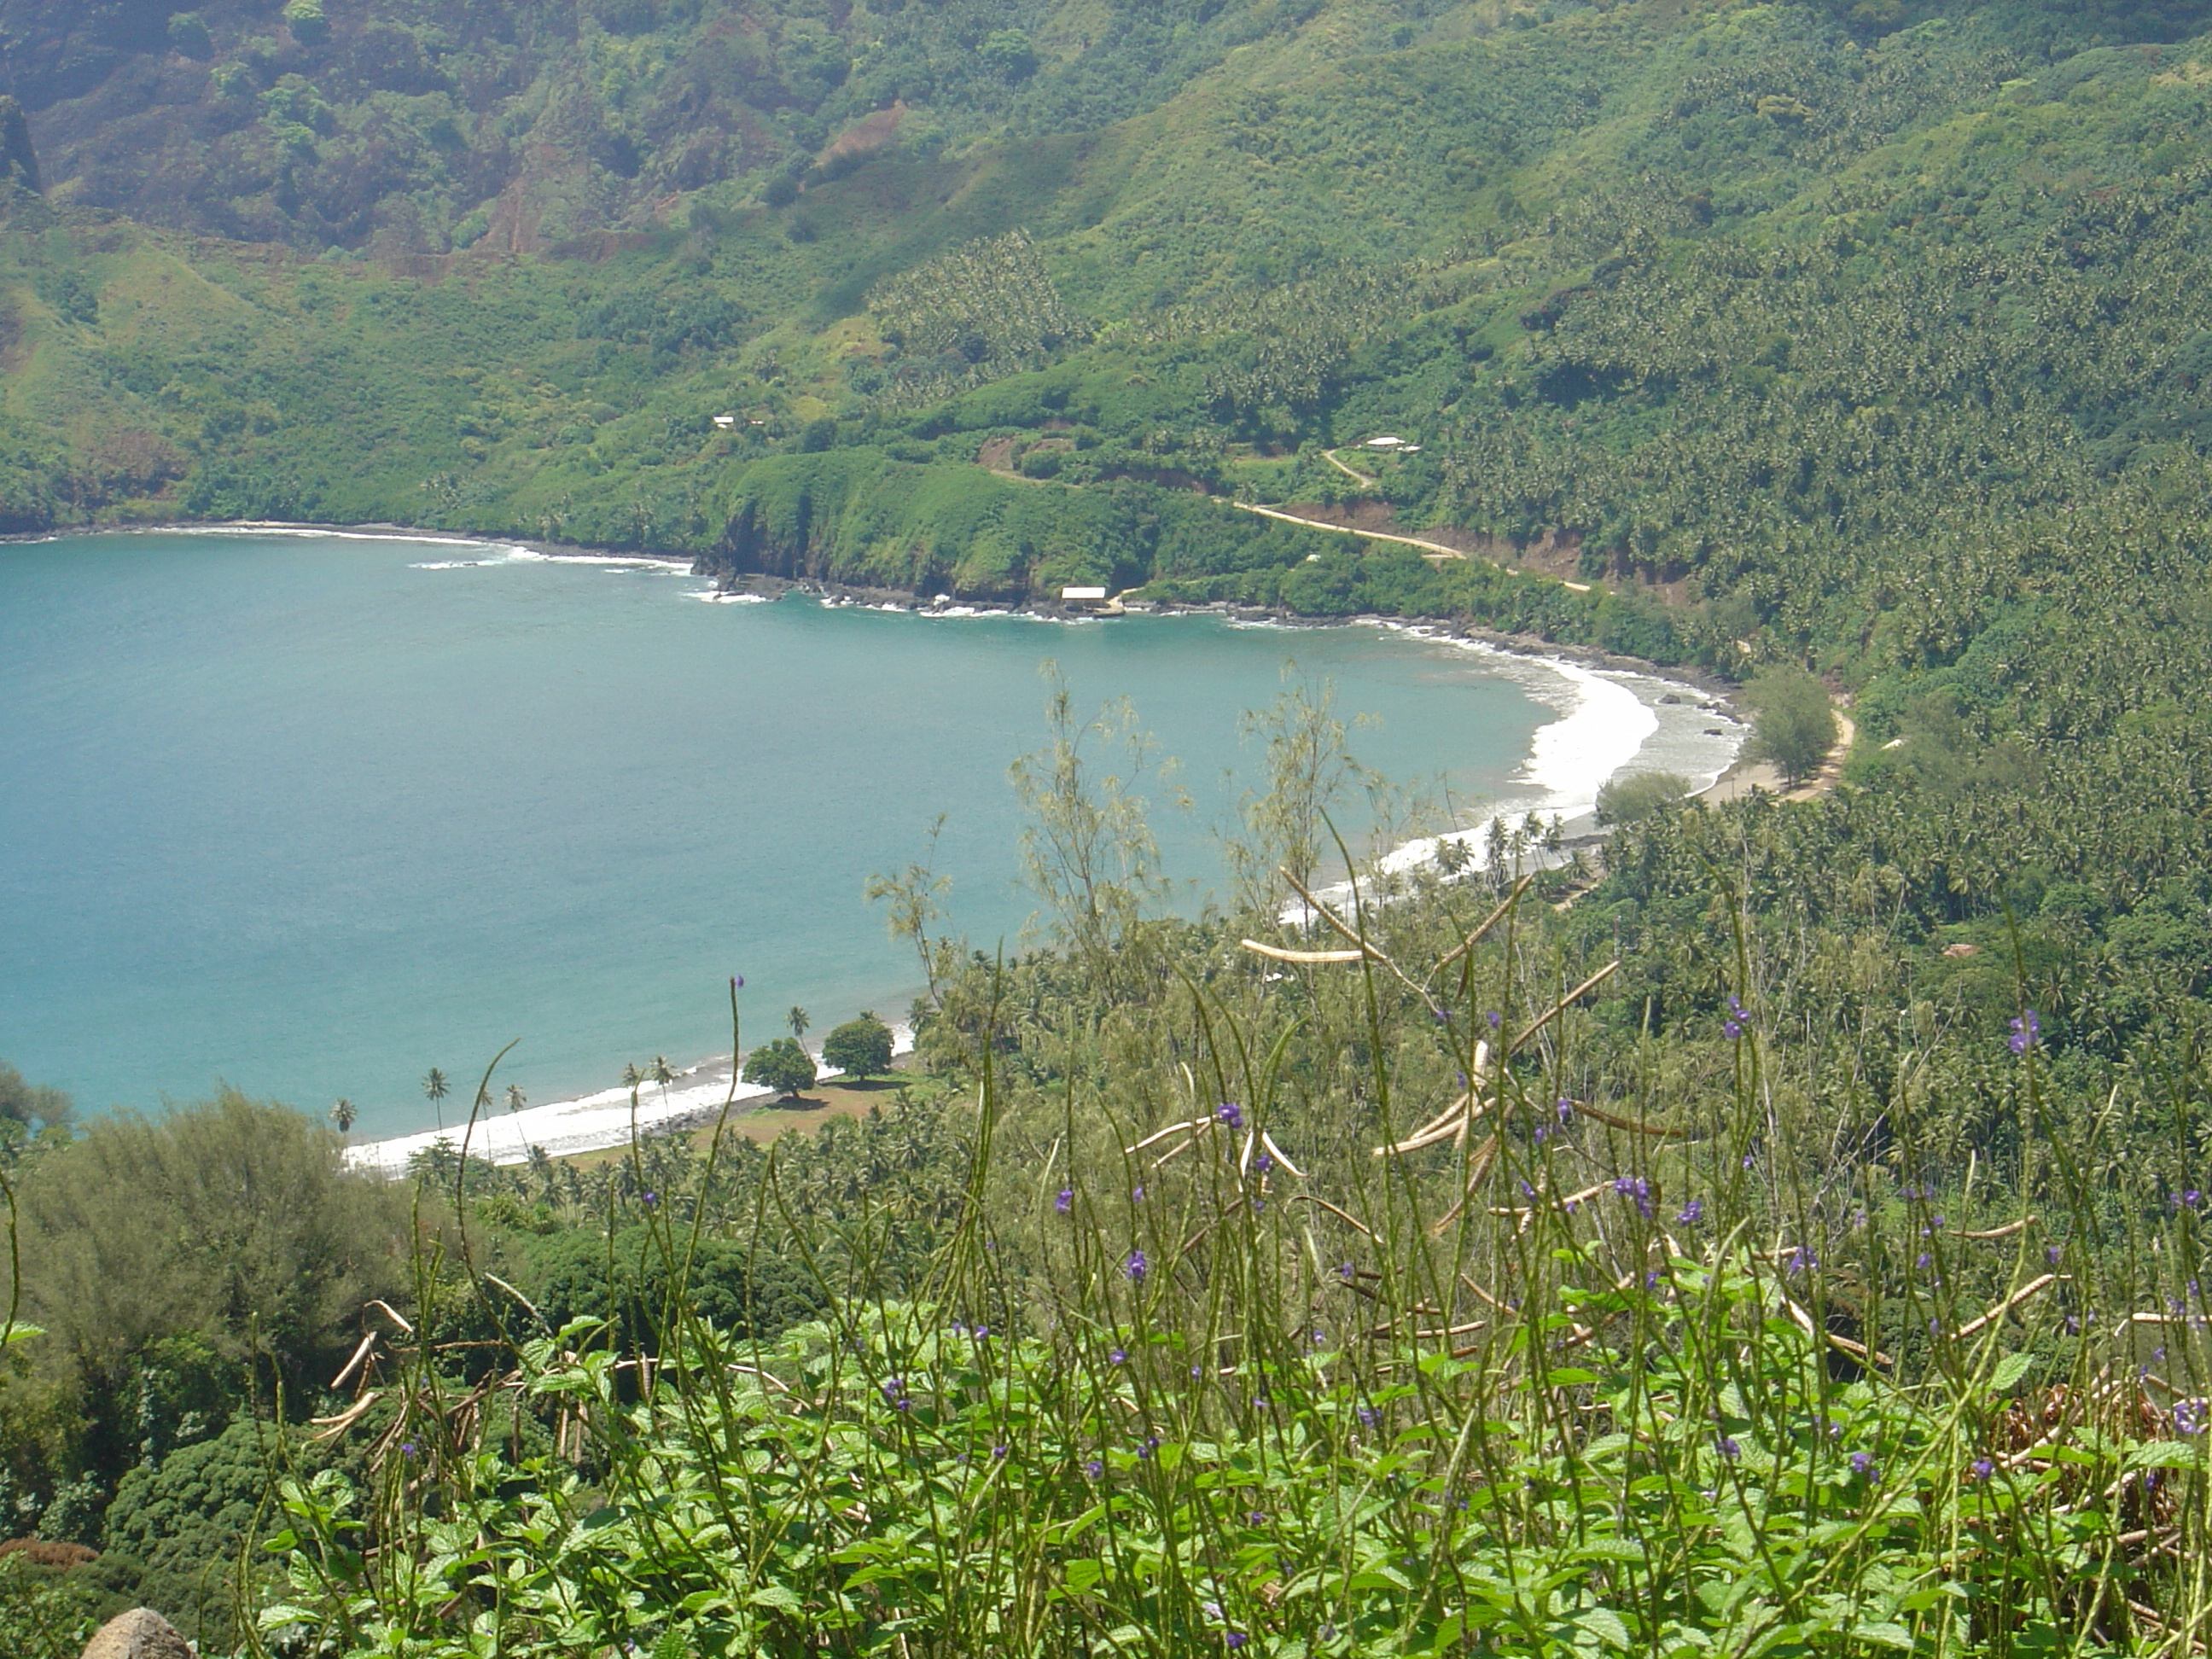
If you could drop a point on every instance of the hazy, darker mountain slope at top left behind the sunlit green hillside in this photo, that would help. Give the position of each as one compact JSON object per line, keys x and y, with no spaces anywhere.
{"x":430,"y":125}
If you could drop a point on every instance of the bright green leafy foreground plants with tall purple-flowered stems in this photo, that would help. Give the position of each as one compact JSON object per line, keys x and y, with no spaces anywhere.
{"x":1204,"y":1406}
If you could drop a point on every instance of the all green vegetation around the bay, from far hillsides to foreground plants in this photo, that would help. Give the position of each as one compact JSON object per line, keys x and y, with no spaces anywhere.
{"x":1822,"y":1280}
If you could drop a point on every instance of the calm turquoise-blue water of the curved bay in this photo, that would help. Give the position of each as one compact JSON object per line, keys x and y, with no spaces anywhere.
{"x":313,"y":813}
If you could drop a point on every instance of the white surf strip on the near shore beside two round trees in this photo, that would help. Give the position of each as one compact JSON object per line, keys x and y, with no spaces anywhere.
{"x":589,"y":1123}
